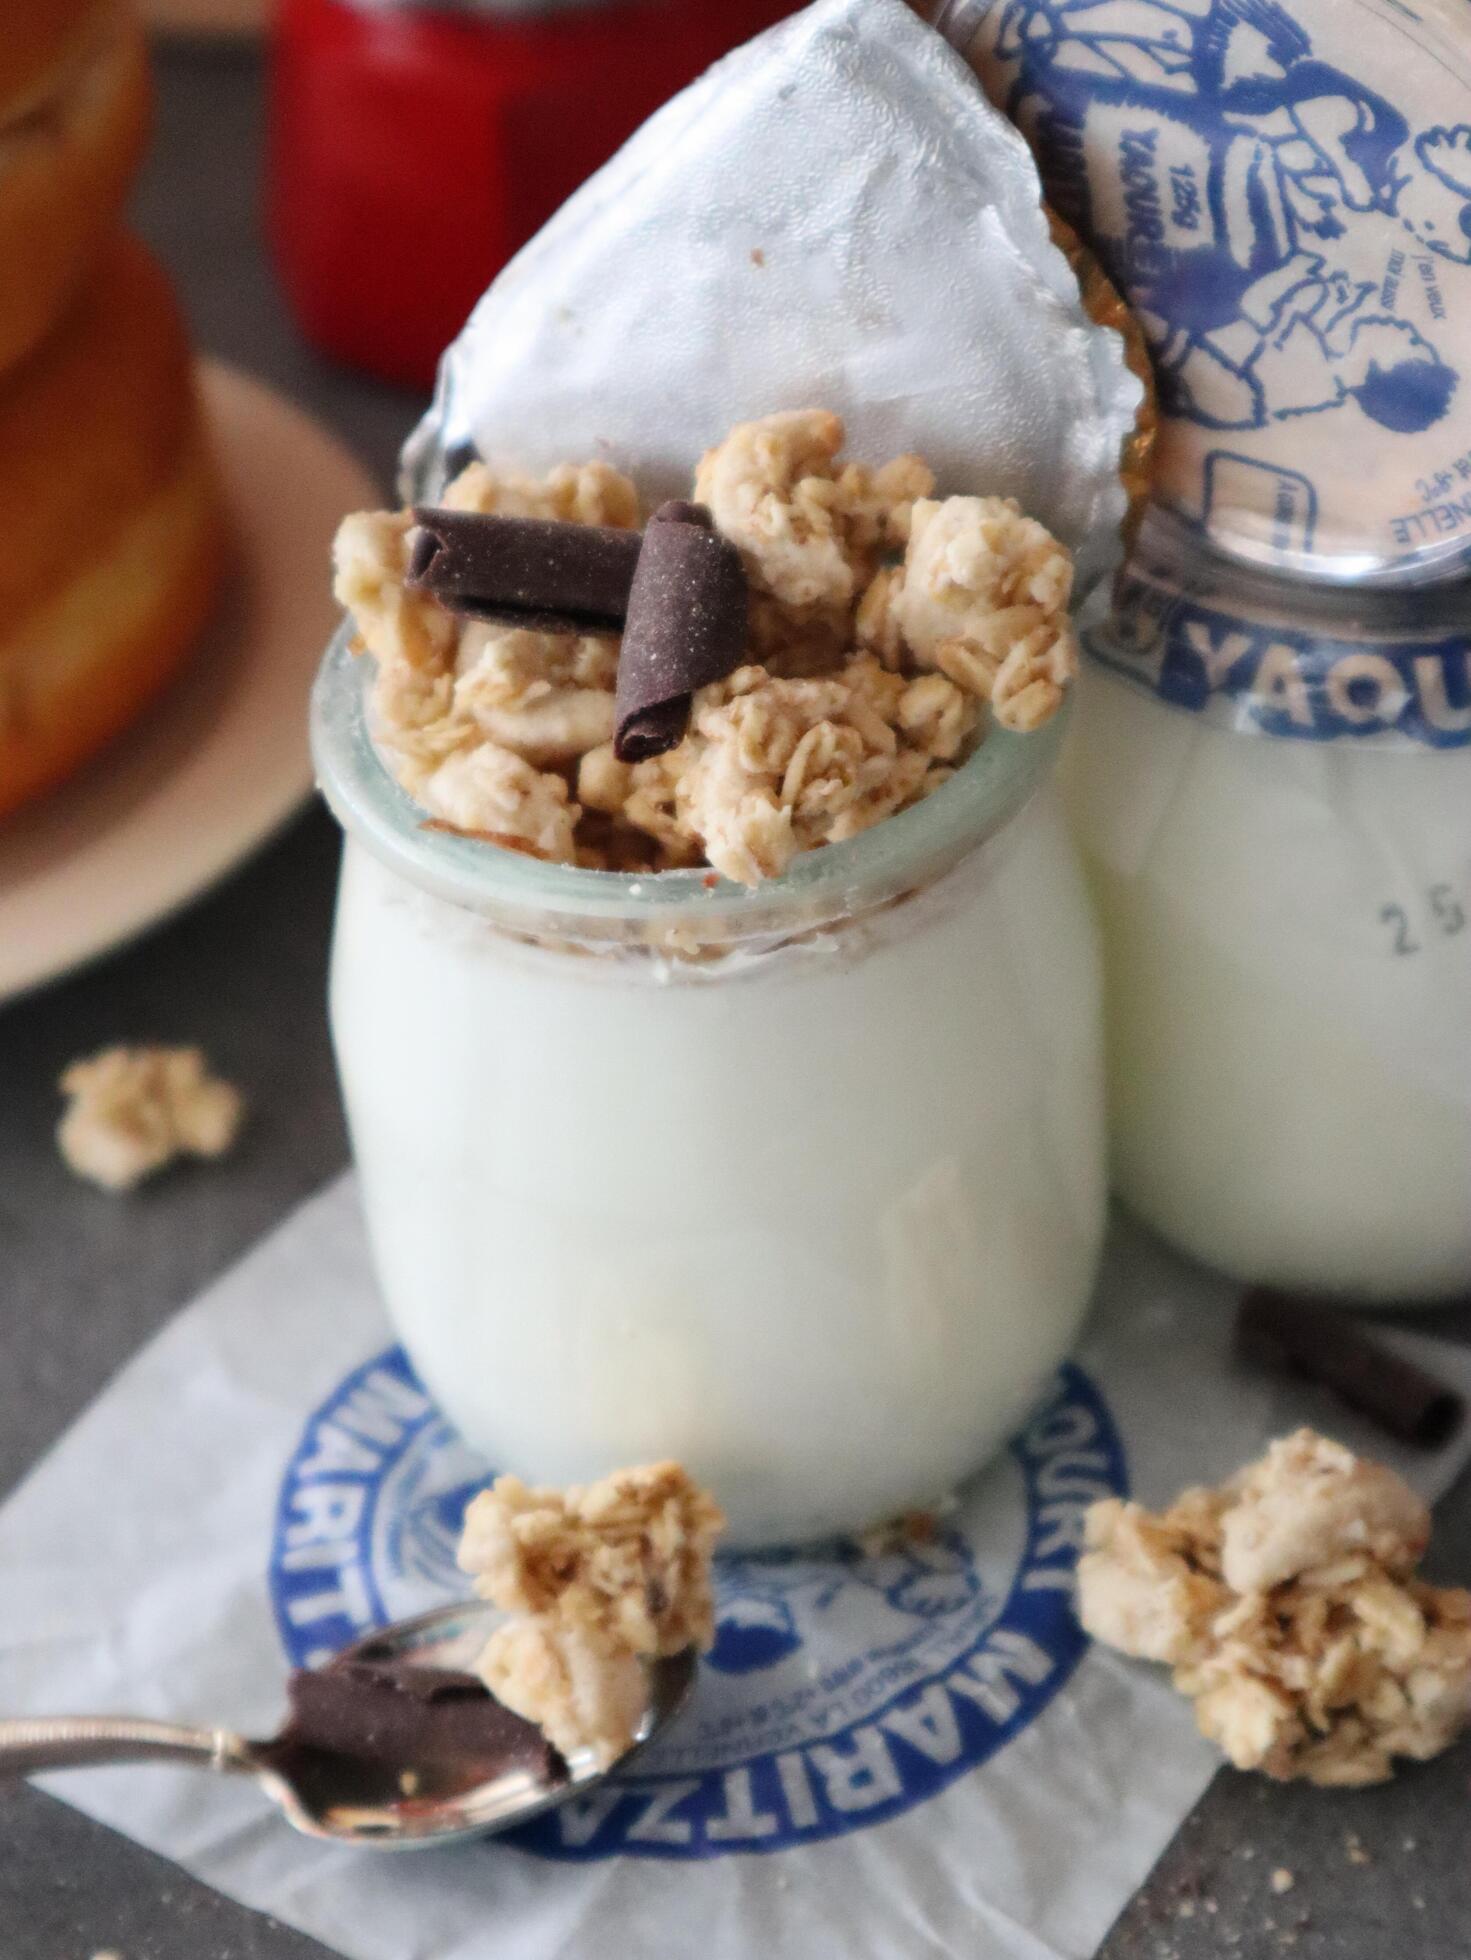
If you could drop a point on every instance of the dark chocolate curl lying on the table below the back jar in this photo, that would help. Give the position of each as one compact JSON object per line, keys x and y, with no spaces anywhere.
{"x":1325,"y":1346}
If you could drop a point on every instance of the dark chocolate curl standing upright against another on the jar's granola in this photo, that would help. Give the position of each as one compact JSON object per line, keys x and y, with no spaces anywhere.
{"x":687,"y":626}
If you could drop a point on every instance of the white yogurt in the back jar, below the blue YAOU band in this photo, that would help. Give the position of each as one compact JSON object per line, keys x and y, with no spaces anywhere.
{"x":1288,"y":963}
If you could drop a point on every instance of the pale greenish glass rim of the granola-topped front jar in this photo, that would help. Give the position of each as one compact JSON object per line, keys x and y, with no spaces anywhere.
{"x":878,"y":863}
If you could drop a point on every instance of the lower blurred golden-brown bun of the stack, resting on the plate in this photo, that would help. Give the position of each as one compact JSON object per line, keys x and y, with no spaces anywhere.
{"x":113,"y":524}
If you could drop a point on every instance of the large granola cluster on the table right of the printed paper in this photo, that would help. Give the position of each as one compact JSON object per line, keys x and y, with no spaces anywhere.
{"x":1286,"y":1602}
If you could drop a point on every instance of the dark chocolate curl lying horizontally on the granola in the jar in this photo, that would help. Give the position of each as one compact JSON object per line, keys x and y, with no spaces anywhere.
{"x":536,"y":573}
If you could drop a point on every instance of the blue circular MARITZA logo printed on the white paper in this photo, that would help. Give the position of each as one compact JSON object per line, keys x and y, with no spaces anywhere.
{"x":845,"y":1687}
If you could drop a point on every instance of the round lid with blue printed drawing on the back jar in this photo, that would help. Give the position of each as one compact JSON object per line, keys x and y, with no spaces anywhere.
{"x":1284,"y":195}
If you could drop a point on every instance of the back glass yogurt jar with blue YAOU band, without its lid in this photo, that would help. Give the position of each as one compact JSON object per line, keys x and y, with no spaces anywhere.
{"x":1272,"y":789}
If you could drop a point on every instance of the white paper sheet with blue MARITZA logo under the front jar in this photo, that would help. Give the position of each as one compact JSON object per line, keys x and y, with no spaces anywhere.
{"x":892,"y":1757}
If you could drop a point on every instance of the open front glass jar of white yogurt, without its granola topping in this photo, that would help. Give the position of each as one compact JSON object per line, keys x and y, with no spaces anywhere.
{"x":798,"y":1183}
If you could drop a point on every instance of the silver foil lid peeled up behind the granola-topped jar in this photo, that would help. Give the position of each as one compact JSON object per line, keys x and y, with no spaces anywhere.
{"x":833,"y":217}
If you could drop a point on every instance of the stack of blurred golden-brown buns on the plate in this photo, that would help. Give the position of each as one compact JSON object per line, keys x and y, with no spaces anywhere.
{"x":109,"y":505}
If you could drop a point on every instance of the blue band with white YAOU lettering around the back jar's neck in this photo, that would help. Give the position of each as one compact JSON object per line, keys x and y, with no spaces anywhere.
{"x":1264,"y":658}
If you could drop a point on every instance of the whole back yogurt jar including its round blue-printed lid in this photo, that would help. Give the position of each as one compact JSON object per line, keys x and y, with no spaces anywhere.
{"x":1270,"y":775}
